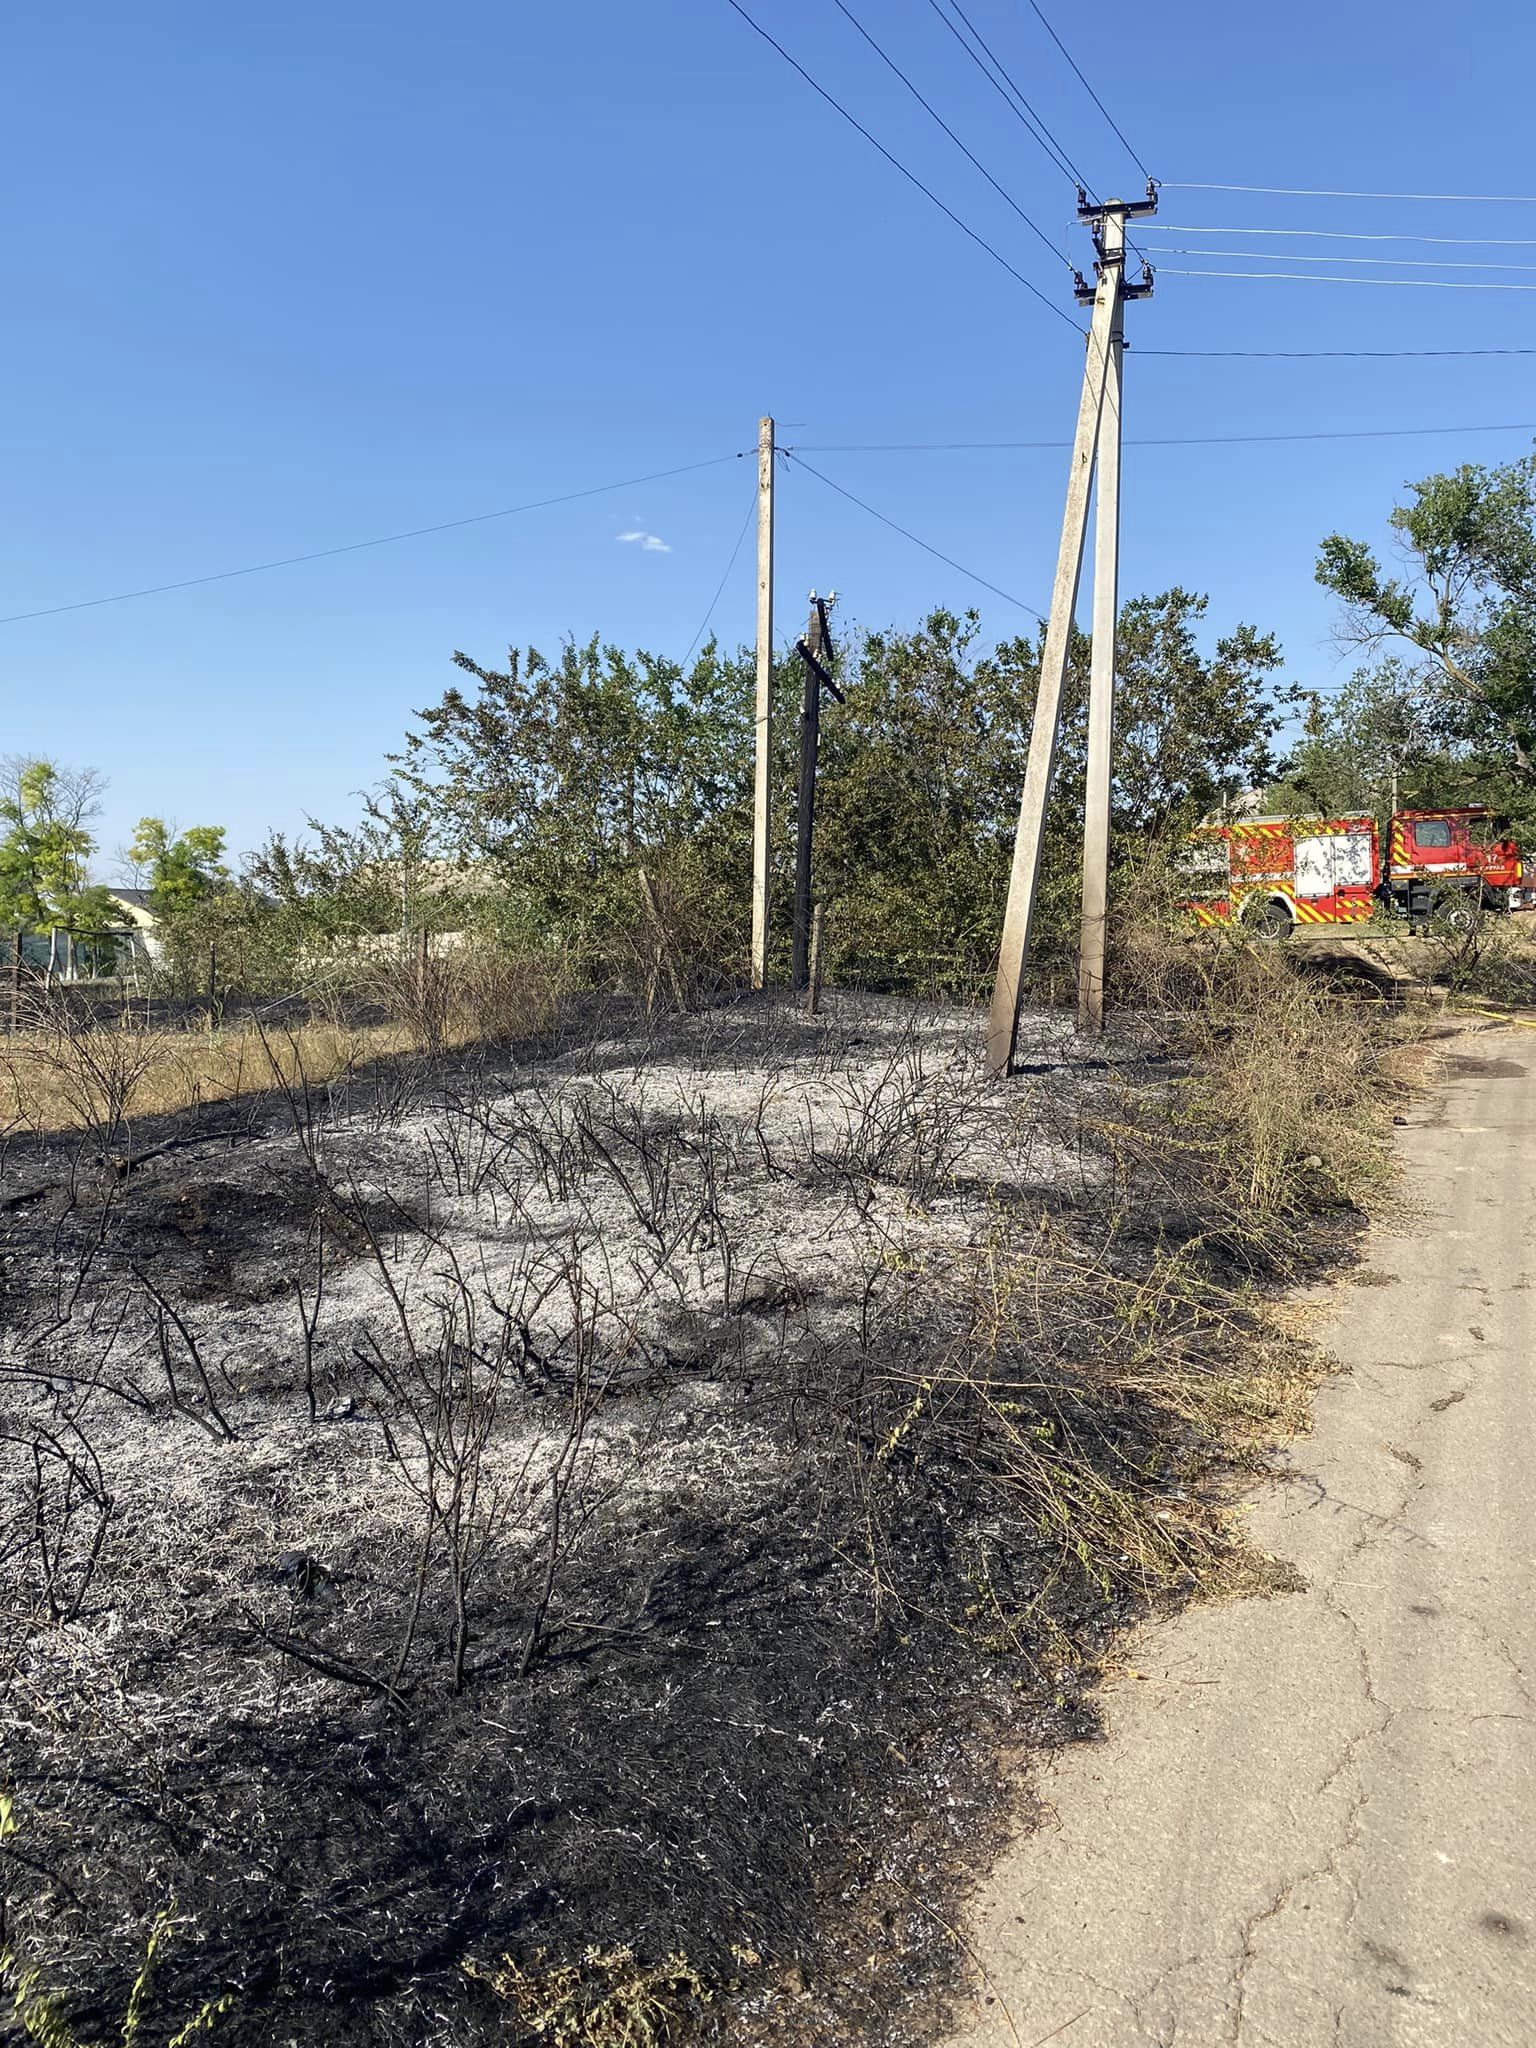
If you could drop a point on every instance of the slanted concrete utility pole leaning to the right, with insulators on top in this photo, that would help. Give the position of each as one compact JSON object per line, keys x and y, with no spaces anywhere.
{"x":1029,"y":841}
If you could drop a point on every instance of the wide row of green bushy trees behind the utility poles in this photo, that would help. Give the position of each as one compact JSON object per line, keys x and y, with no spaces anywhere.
{"x":529,"y":800}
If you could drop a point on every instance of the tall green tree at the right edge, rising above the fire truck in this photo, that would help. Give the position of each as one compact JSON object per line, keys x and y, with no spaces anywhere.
{"x":1465,"y":603}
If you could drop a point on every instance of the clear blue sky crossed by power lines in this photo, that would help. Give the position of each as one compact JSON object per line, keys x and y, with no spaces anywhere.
{"x":290,"y":278}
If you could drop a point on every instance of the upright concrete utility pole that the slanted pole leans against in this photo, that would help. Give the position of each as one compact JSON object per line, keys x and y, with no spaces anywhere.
{"x":1101,"y":687}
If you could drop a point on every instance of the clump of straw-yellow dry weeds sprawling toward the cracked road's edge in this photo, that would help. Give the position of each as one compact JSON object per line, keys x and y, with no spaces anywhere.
{"x":1213,"y":1371}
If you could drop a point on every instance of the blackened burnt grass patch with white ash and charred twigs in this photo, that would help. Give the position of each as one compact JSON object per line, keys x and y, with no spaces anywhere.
{"x":763,"y":1613}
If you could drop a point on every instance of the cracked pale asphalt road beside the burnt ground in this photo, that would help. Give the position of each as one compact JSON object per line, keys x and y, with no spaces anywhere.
{"x":1316,"y":1816}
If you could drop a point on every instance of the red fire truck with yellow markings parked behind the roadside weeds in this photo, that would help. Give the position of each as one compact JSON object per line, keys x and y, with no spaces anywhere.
{"x":1277,"y":873}
